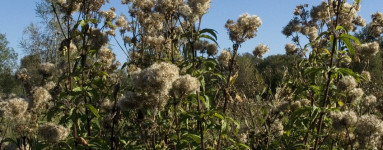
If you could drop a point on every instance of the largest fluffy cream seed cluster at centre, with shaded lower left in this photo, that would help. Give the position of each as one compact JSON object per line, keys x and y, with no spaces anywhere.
{"x":151,"y":87}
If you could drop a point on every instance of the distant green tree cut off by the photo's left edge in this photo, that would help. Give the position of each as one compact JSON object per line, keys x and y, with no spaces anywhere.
{"x":8,"y":63}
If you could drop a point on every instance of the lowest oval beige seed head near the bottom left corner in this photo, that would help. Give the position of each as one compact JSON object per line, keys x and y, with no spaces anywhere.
{"x":53,"y":133}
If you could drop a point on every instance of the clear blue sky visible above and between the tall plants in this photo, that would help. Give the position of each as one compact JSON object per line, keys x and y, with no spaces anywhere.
{"x":17,"y":14}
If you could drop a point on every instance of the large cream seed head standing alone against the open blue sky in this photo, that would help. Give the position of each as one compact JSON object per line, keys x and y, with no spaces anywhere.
{"x":245,"y":28}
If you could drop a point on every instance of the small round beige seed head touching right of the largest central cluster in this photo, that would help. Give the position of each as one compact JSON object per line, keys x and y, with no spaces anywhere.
{"x":185,"y":85}
